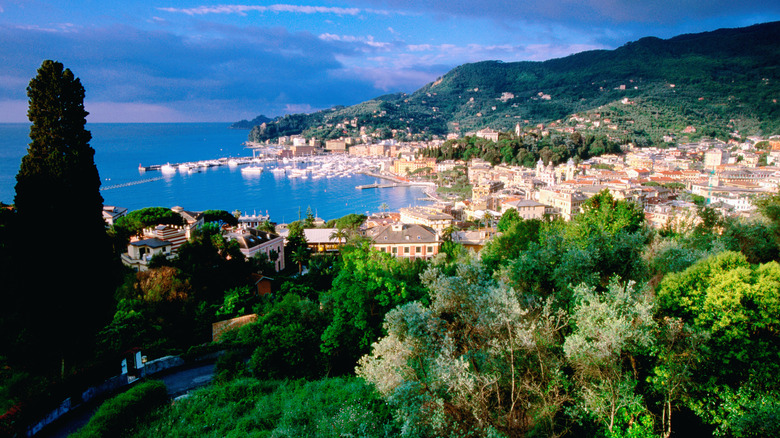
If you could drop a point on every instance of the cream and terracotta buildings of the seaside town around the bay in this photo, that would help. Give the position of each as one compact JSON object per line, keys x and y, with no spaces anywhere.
{"x":664,"y":181}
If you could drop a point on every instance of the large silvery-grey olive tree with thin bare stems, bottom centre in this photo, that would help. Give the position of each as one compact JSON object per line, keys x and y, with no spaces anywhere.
{"x":474,"y":362}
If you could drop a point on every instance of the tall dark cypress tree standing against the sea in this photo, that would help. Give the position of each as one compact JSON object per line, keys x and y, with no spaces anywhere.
{"x":58,"y":187}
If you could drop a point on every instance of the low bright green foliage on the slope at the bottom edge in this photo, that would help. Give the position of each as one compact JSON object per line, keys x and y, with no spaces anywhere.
{"x":333,"y":407}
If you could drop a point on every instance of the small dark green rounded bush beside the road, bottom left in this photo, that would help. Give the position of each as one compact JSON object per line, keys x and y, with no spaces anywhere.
{"x":123,"y":411}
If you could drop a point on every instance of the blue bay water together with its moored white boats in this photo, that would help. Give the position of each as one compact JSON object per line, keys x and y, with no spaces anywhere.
{"x":205,"y":173}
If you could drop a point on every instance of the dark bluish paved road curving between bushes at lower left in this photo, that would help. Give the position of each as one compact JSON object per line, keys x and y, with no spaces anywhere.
{"x":178,"y":381}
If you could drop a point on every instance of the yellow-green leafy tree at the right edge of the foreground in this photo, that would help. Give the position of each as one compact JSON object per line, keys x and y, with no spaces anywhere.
{"x":736,"y":305}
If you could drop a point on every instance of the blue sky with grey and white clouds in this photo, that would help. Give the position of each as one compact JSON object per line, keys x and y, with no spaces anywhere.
{"x":206,"y":61}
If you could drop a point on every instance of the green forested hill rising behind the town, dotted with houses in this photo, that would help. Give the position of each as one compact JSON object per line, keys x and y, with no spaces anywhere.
{"x":718,"y":82}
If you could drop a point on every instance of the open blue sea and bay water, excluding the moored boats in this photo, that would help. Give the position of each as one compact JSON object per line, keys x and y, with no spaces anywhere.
{"x":121,"y":147}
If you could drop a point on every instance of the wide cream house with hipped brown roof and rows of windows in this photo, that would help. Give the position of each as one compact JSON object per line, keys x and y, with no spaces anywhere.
{"x":410,"y":241}
